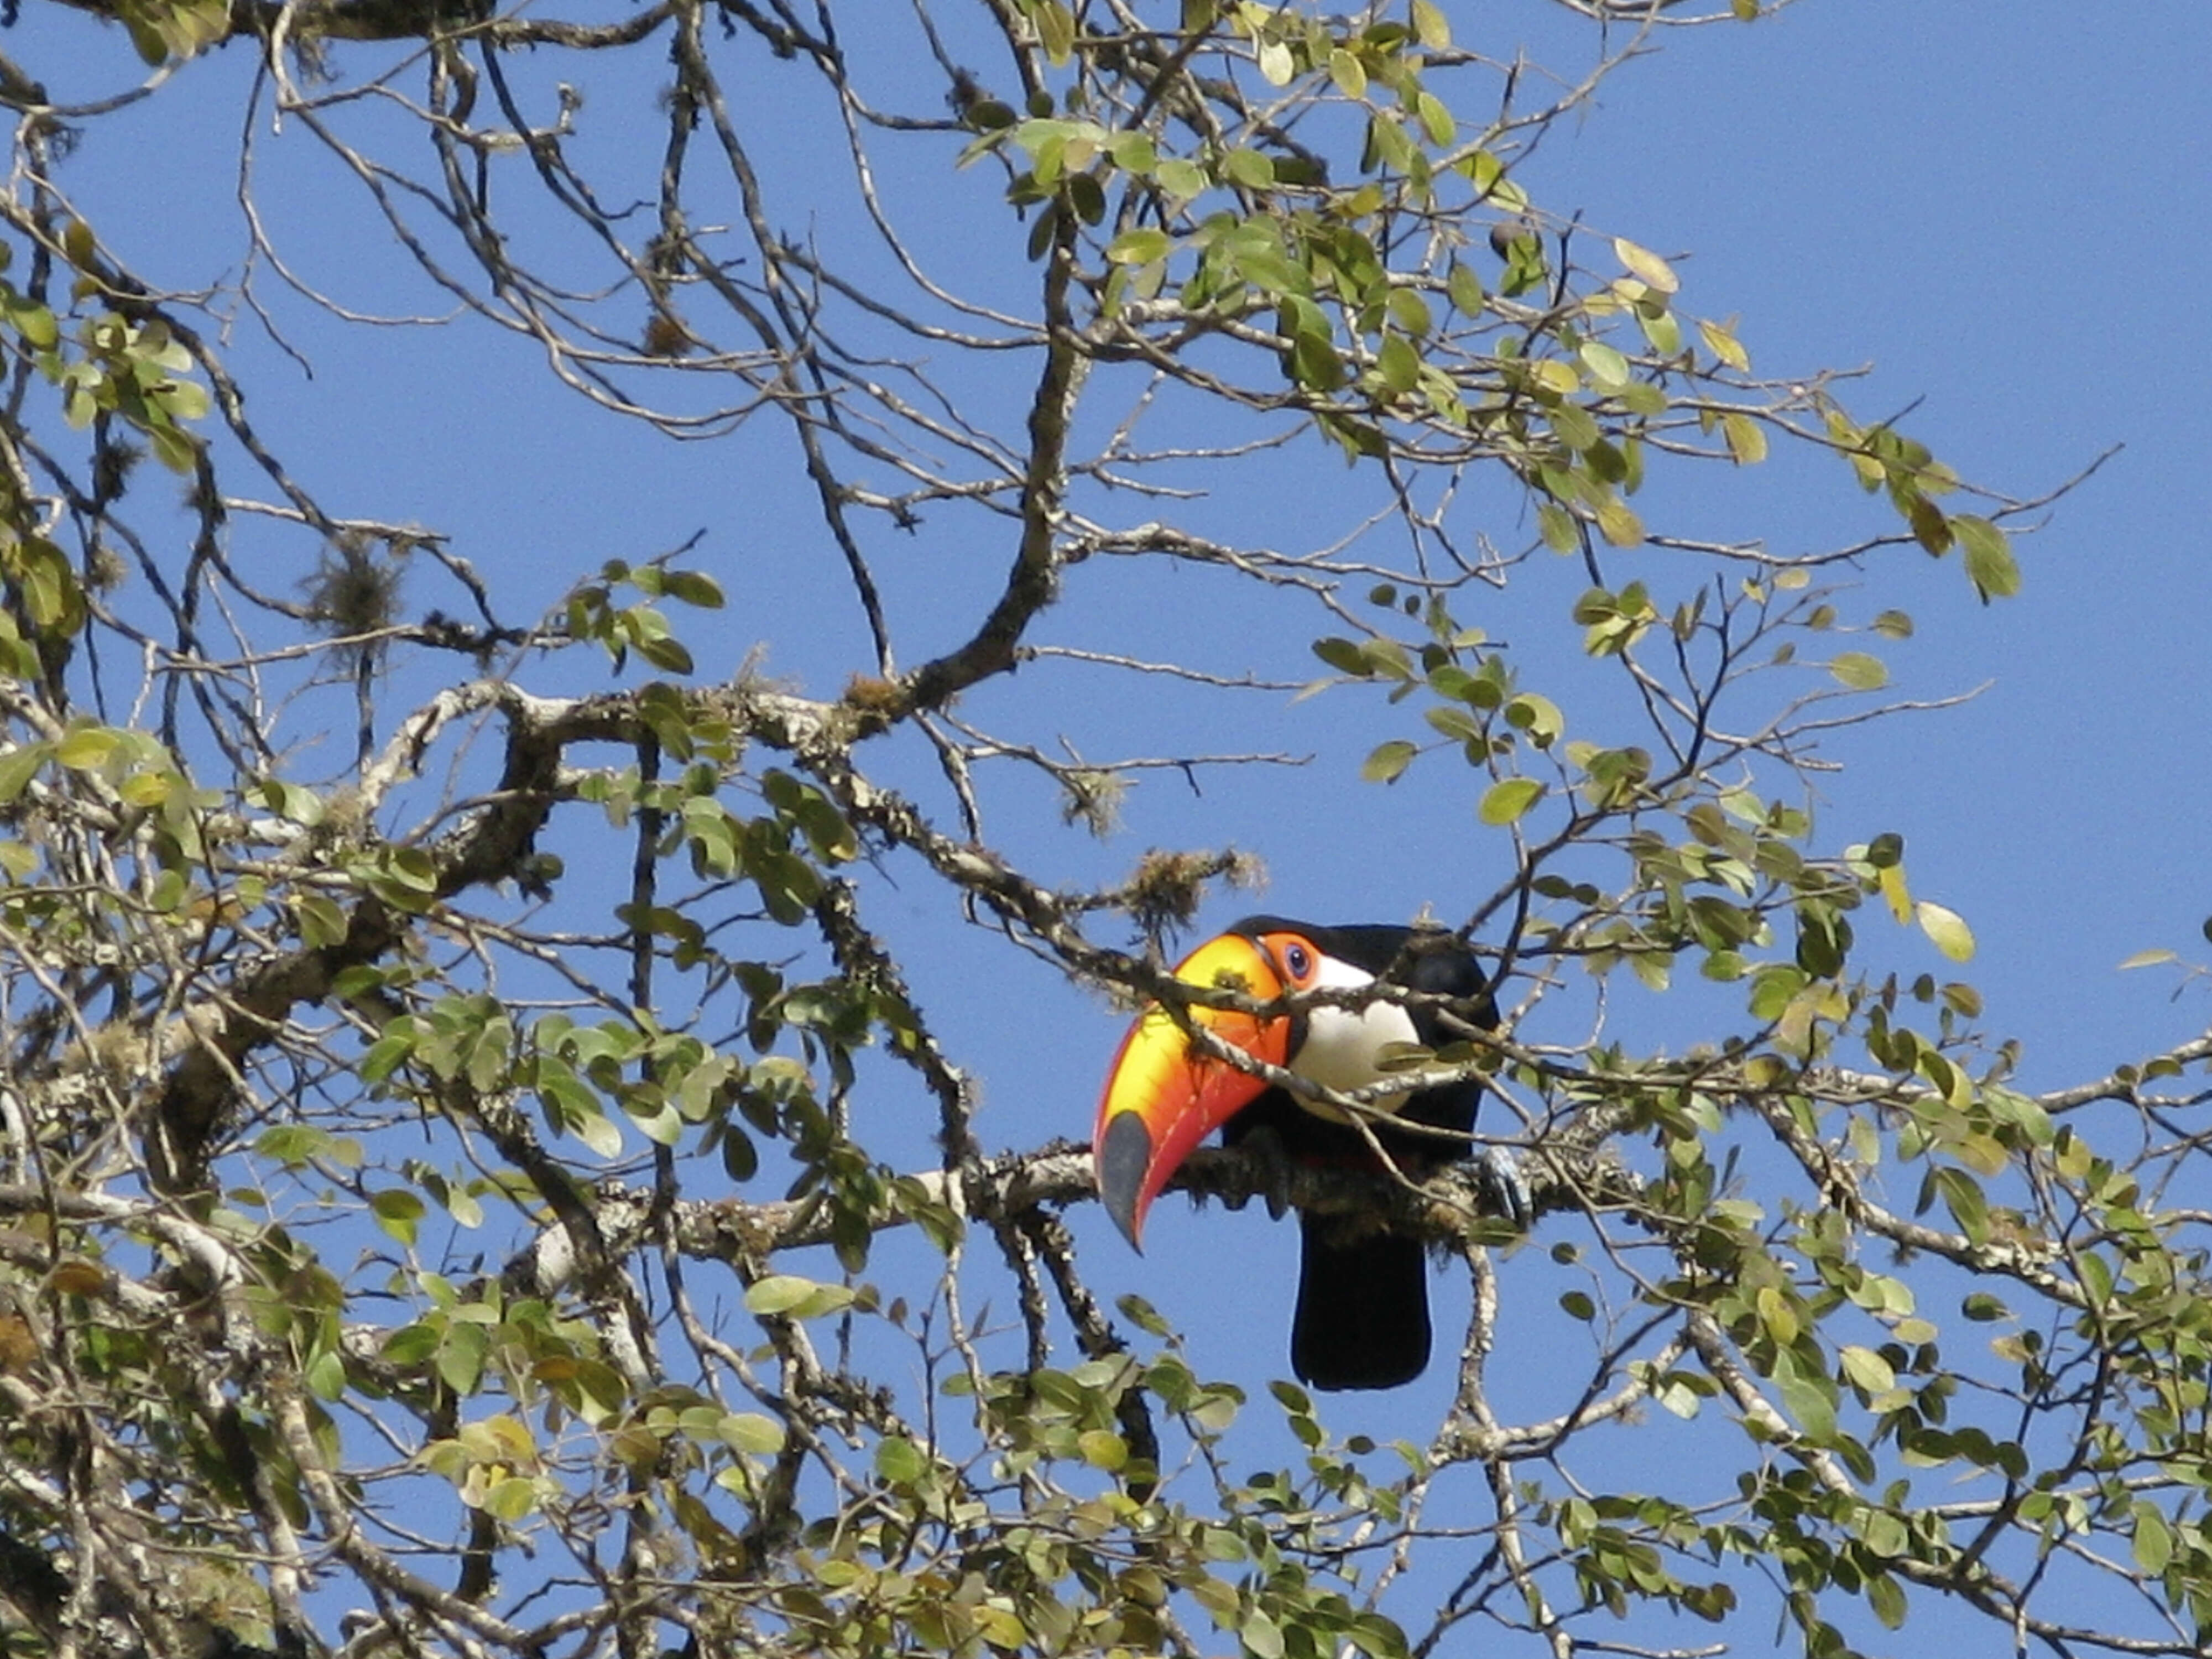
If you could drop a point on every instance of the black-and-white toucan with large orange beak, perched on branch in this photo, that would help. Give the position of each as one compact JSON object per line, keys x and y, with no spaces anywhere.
{"x":1364,"y":1295}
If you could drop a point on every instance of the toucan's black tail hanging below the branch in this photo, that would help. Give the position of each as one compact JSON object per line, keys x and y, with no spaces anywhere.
{"x":1364,"y":1308}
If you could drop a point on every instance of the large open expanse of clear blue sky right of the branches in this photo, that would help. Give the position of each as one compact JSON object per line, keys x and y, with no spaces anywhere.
{"x":2003,"y":216}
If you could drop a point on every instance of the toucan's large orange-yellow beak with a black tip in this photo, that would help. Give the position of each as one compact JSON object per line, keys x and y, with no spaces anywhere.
{"x":1165,"y":1096}
